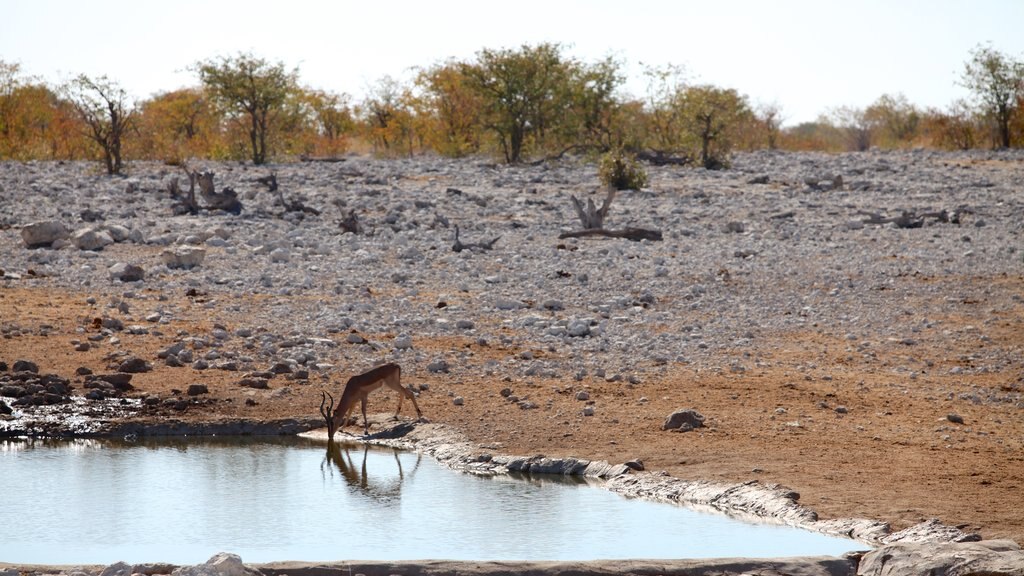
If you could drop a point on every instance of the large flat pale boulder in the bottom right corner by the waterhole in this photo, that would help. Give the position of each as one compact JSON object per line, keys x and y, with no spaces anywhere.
{"x":994,"y":558}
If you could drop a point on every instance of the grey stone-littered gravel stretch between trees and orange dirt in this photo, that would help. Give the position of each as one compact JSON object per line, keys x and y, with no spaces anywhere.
{"x":796,"y":252}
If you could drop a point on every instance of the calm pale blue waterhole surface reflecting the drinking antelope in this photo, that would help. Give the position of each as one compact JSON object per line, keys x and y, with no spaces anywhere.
{"x":184,"y":501}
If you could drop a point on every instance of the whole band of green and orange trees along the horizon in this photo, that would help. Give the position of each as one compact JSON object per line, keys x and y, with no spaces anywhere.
{"x":521,"y":105}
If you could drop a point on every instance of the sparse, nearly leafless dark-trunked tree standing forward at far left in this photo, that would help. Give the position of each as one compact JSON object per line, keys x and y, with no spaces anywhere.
{"x":107,"y":113}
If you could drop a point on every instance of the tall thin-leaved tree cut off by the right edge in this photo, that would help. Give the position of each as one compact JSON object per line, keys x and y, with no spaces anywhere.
{"x":998,"y":84}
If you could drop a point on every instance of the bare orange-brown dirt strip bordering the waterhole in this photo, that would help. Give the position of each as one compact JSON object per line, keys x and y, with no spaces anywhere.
{"x":892,"y":456}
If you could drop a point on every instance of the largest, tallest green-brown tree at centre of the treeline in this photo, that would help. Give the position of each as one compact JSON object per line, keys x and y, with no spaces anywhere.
{"x":524,"y":94}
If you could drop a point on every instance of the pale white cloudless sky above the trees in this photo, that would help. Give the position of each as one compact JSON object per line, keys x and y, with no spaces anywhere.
{"x":808,"y":56}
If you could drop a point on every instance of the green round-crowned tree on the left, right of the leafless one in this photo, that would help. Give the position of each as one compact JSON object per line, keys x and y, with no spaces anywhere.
{"x":252,"y":91}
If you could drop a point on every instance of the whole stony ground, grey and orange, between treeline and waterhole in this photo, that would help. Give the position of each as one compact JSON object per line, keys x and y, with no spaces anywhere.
{"x":850,"y":326}
